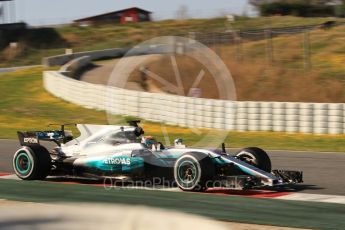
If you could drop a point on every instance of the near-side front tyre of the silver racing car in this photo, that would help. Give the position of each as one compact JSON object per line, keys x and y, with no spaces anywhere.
{"x":194,"y":171}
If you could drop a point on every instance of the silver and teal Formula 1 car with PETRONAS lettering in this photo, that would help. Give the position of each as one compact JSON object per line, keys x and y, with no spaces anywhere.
{"x":122,"y":153}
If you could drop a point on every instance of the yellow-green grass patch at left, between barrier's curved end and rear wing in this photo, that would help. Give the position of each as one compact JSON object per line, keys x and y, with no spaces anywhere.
{"x":24,"y":104}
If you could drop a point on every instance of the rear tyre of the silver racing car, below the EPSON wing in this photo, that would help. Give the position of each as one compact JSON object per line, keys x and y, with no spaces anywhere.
{"x":32,"y":163}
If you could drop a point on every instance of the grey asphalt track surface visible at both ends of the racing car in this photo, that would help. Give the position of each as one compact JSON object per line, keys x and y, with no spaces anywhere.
{"x":324,"y":173}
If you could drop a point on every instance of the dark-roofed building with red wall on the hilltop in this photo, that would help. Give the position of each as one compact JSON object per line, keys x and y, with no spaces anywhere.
{"x":130,"y":15}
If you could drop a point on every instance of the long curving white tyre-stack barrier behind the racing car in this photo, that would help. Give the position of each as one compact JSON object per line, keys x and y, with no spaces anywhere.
{"x":317,"y":118}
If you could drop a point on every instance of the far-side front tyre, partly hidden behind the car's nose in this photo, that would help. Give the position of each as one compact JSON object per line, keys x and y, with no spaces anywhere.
{"x":257,"y":157}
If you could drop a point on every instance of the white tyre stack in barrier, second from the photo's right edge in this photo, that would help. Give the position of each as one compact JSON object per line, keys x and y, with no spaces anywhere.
{"x":320,"y":118}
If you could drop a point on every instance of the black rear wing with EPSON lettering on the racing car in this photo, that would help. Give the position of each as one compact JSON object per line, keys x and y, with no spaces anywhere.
{"x":29,"y":138}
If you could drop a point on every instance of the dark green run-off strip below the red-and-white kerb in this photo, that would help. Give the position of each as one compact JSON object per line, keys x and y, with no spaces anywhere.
{"x":226,"y":208}
